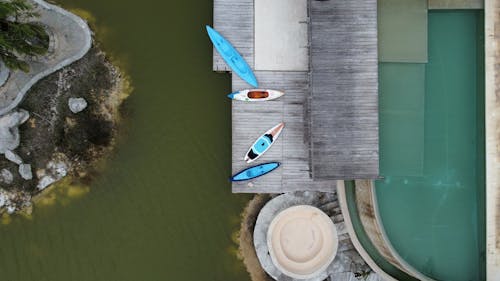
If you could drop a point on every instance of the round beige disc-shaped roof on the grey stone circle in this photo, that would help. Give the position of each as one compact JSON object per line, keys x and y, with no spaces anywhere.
{"x":302,"y":241}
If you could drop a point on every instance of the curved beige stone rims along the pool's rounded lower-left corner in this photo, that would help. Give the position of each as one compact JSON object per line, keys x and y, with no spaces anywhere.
{"x":375,"y":233}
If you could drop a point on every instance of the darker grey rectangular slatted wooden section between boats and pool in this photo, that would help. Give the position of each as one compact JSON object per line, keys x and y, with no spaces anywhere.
{"x":344,"y":93}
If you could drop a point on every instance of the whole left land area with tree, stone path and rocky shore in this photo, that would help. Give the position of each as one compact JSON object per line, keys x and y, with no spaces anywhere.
{"x":61,"y":102}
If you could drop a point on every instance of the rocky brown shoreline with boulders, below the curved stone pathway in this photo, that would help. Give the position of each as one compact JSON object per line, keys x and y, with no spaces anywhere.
{"x":66,"y":124}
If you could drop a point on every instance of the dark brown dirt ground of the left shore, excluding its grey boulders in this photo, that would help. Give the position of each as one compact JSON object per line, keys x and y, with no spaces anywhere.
{"x":54,"y":133}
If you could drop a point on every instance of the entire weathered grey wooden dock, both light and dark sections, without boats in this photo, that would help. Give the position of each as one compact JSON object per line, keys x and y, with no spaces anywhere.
{"x":339,"y":116}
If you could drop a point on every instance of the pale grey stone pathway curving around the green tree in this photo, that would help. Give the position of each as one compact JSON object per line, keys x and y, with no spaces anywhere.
{"x":70,"y":40}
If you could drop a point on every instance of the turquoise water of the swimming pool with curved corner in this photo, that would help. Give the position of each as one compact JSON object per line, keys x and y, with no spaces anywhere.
{"x":431,"y":199}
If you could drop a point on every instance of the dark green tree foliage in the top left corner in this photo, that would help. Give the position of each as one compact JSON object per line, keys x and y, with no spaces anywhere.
{"x":19,"y":38}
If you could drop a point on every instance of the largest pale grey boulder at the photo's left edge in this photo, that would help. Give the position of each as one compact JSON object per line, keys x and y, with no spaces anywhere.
{"x":9,"y":132}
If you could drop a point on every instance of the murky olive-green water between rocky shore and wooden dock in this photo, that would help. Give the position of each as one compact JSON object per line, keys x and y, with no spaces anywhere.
{"x":163,"y":210}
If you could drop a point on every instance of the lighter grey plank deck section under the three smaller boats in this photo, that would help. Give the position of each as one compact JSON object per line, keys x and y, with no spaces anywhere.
{"x":250,"y":120}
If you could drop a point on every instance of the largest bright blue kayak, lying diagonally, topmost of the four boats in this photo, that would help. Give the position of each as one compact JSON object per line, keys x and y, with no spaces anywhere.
{"x":232,"y":57}
